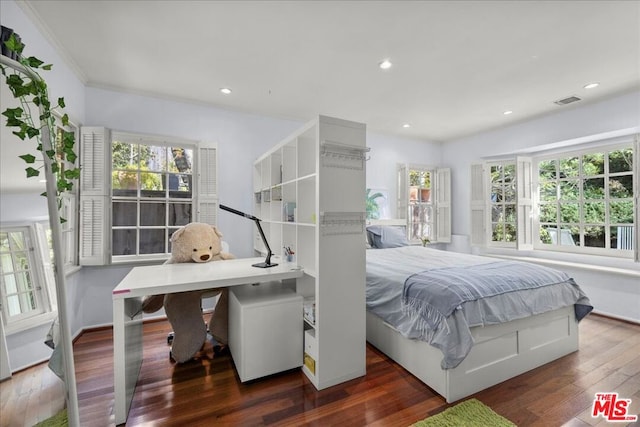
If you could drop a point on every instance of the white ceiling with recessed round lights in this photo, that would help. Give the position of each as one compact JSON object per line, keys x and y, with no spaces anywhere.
{"x":458,"y":65}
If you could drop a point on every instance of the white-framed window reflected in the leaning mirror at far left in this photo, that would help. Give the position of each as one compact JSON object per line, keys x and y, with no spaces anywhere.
{"x":24,"y":288}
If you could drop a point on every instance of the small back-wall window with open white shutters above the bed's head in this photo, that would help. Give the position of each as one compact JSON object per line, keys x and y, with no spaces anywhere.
{"x":424,"y":200}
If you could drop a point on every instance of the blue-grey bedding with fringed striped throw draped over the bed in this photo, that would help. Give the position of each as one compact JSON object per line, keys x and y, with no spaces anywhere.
{"x":397,"y":276}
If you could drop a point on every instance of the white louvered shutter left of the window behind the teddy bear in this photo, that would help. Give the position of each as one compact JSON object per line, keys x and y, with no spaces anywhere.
{"x":95,"y":184}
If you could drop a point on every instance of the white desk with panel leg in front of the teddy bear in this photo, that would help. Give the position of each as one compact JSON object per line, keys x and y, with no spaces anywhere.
{"x":164,"y":279}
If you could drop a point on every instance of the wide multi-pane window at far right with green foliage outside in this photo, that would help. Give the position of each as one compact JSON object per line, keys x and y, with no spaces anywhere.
{"x":586,"y":201}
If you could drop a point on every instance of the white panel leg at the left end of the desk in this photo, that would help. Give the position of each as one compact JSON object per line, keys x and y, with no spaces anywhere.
{"x":127,"y":354}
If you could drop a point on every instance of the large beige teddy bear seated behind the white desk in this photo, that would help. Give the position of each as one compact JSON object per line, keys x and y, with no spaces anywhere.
{"x":194,"y":242}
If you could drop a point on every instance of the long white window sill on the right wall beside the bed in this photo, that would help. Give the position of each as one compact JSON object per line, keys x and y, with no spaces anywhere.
{"x":620,"y":266}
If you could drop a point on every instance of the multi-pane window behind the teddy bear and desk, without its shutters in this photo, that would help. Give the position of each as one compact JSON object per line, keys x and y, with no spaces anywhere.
{"x":152,"y":195}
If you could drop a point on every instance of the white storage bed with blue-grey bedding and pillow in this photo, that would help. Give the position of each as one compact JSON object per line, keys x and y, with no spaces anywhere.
{"x":471,"y":341}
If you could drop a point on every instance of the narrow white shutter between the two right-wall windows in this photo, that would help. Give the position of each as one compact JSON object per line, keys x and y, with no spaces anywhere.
{"x":524,"y":208}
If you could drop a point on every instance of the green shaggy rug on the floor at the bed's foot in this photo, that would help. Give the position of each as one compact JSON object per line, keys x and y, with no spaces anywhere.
{"x":470,"y":413}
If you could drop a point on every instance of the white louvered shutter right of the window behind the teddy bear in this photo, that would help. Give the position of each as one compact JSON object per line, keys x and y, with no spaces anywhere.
{"x":207,"y":211}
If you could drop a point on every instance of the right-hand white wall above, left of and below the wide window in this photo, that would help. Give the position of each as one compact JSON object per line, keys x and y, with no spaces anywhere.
{"x":612,"y":293}
